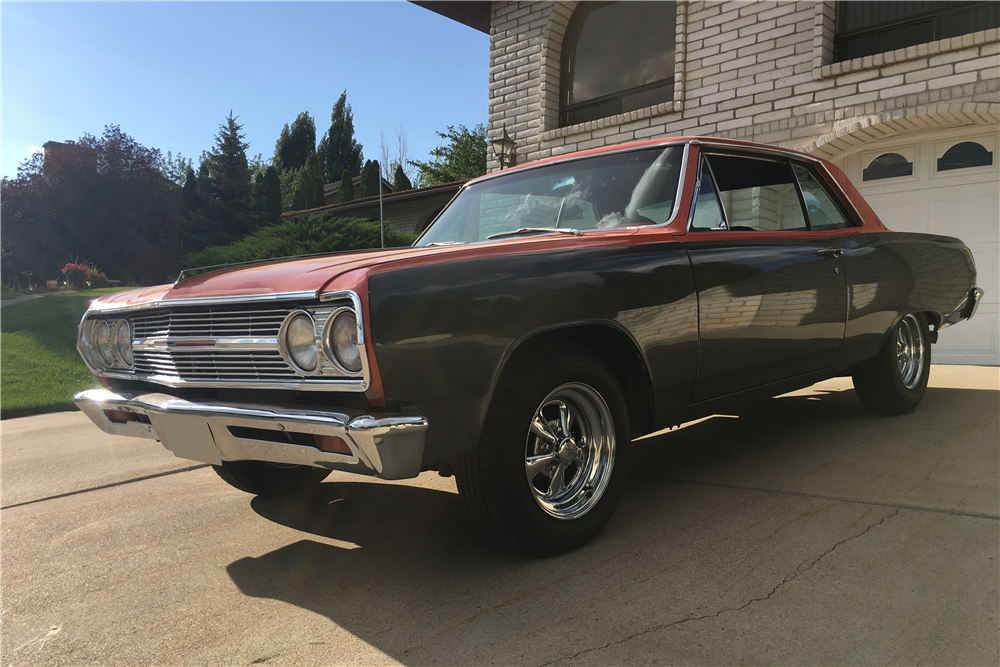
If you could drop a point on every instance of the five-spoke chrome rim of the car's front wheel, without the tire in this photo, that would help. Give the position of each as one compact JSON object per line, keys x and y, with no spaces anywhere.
{"x":570,"y":451}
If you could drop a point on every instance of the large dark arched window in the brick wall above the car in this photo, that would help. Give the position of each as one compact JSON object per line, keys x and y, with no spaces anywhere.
{"x":617,"y":57}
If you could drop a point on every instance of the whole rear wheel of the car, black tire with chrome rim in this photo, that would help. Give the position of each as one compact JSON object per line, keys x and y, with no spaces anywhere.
{"x":894,"y":381}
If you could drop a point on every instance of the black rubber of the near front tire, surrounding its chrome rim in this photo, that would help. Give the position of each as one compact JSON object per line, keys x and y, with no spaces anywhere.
{"x":527,"y":523}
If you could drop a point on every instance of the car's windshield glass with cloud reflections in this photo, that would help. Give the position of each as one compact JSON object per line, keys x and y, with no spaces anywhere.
{"x":617,"y":190}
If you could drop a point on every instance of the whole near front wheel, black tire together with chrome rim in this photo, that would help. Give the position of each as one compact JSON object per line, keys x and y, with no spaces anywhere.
{"x":553,"y":459}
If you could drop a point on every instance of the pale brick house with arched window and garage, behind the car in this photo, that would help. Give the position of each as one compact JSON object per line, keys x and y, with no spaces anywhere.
{"x":904,"y":96}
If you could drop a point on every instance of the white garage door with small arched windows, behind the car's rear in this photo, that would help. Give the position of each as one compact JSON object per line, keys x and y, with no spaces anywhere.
{"x":944,"y":182}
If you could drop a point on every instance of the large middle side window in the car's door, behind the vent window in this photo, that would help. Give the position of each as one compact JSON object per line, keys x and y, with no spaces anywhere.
{"x":757,"y":194}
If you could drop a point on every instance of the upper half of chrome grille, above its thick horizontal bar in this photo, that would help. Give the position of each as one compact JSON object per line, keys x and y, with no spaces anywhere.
{"x":263,"y":323}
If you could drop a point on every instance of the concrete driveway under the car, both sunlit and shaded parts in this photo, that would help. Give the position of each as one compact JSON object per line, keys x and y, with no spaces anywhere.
{"x":801,"y":531}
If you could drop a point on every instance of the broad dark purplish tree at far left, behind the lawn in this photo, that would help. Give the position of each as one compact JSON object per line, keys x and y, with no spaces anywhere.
{"x":104,"y":199}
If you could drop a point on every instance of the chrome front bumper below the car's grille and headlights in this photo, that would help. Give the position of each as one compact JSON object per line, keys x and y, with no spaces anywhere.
{"x":389,"y":446}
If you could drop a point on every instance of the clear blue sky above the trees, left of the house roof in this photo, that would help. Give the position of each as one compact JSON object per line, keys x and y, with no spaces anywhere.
{"x":169,"y":73}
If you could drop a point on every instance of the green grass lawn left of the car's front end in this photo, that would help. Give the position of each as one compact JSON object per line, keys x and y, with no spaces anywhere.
{"x":40,"y":369}
